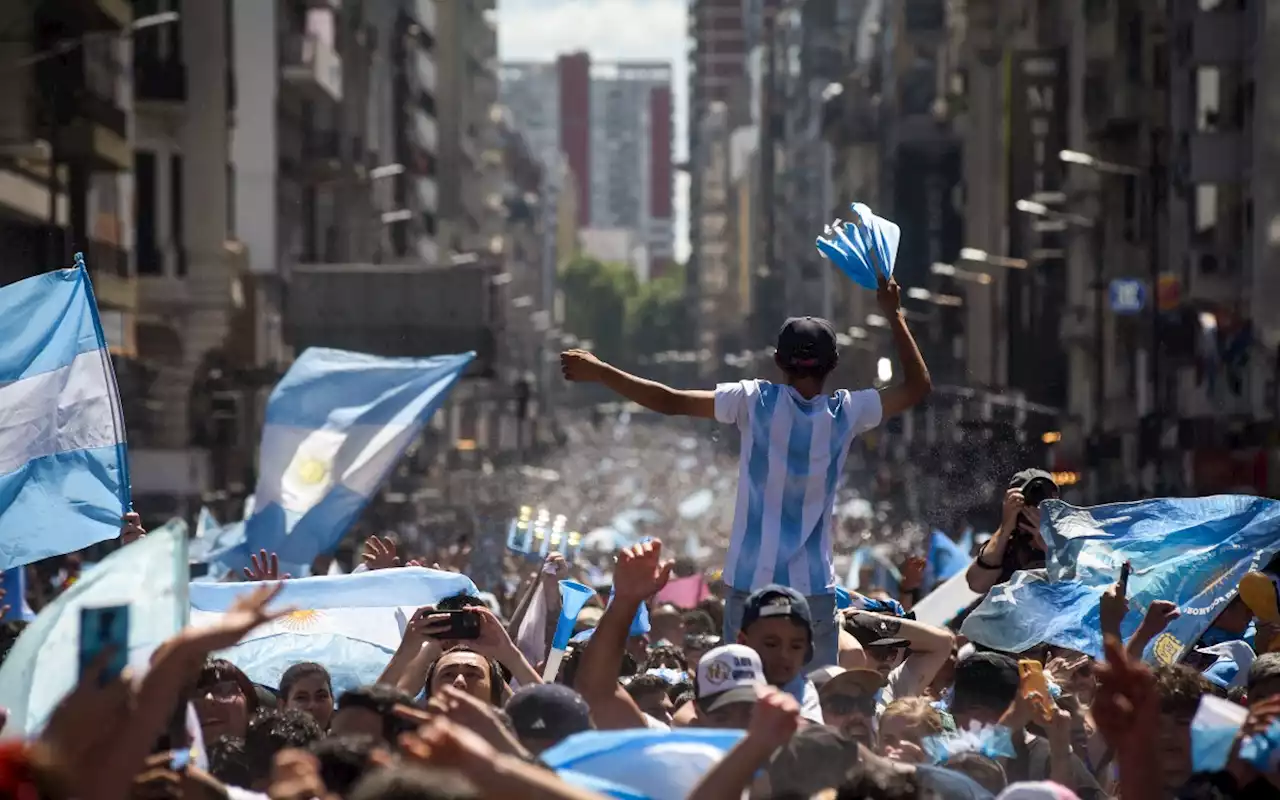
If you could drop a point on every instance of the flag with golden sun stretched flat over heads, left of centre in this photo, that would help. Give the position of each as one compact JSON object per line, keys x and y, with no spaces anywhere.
{"x":346,"y":623}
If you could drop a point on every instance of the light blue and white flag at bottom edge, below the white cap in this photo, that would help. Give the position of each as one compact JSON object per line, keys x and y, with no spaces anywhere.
{"x":651,"y":765}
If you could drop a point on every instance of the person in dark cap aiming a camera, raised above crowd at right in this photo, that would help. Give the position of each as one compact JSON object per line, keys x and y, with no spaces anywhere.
{"x":1018,"y":543}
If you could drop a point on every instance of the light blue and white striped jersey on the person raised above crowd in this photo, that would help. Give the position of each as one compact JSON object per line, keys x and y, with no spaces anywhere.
{"x":792,"y":458}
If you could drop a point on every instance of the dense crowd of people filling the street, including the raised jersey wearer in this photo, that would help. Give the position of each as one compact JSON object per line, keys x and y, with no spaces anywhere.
{"x":772,"y":680}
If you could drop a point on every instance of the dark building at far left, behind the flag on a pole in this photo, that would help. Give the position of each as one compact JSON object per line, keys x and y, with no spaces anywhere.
{"x":65,"y":152}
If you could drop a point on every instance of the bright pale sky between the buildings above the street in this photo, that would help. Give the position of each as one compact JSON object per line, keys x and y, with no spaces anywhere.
{"x":609,"y":30}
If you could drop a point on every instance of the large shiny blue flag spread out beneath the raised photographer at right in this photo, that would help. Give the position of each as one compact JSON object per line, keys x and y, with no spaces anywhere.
{"x":1190,"y":551}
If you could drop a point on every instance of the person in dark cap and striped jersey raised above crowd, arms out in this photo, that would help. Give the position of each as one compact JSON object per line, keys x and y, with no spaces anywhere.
{"x":796,"y":440}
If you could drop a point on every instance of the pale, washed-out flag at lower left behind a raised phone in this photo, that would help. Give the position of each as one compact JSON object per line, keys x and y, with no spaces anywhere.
{"x":149,"y":577}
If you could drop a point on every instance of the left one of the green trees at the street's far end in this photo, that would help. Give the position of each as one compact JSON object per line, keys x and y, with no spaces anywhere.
{"x":596,"y":304}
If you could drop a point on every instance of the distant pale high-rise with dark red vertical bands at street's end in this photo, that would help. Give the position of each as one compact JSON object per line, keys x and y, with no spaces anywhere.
{"x":612,"y":124}
